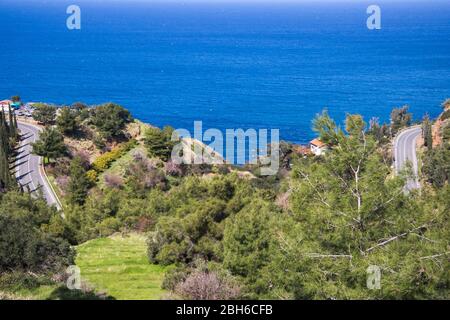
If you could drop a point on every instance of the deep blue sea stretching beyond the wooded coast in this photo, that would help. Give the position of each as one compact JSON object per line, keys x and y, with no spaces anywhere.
{"x":232,"y":65}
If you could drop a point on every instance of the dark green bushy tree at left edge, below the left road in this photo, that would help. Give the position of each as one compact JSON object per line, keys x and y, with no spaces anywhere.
{"x":24,"y":245}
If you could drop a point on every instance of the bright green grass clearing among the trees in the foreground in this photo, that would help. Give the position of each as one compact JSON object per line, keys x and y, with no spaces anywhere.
{"x":119,"y":267}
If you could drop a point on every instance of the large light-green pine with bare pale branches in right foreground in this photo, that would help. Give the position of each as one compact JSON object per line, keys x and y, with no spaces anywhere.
{"x":348,"y":214}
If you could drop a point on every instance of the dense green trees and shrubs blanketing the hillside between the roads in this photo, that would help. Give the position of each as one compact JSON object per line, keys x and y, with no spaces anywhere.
{"x":220,"y":232}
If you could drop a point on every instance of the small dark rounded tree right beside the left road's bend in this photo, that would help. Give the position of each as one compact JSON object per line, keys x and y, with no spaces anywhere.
{"x":50,"y":144}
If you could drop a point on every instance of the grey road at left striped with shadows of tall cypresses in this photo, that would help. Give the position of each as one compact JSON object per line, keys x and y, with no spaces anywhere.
{"x":28,"y":167}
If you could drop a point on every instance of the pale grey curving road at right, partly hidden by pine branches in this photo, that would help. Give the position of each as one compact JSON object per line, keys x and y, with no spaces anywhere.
{"x":405,"y":151}
